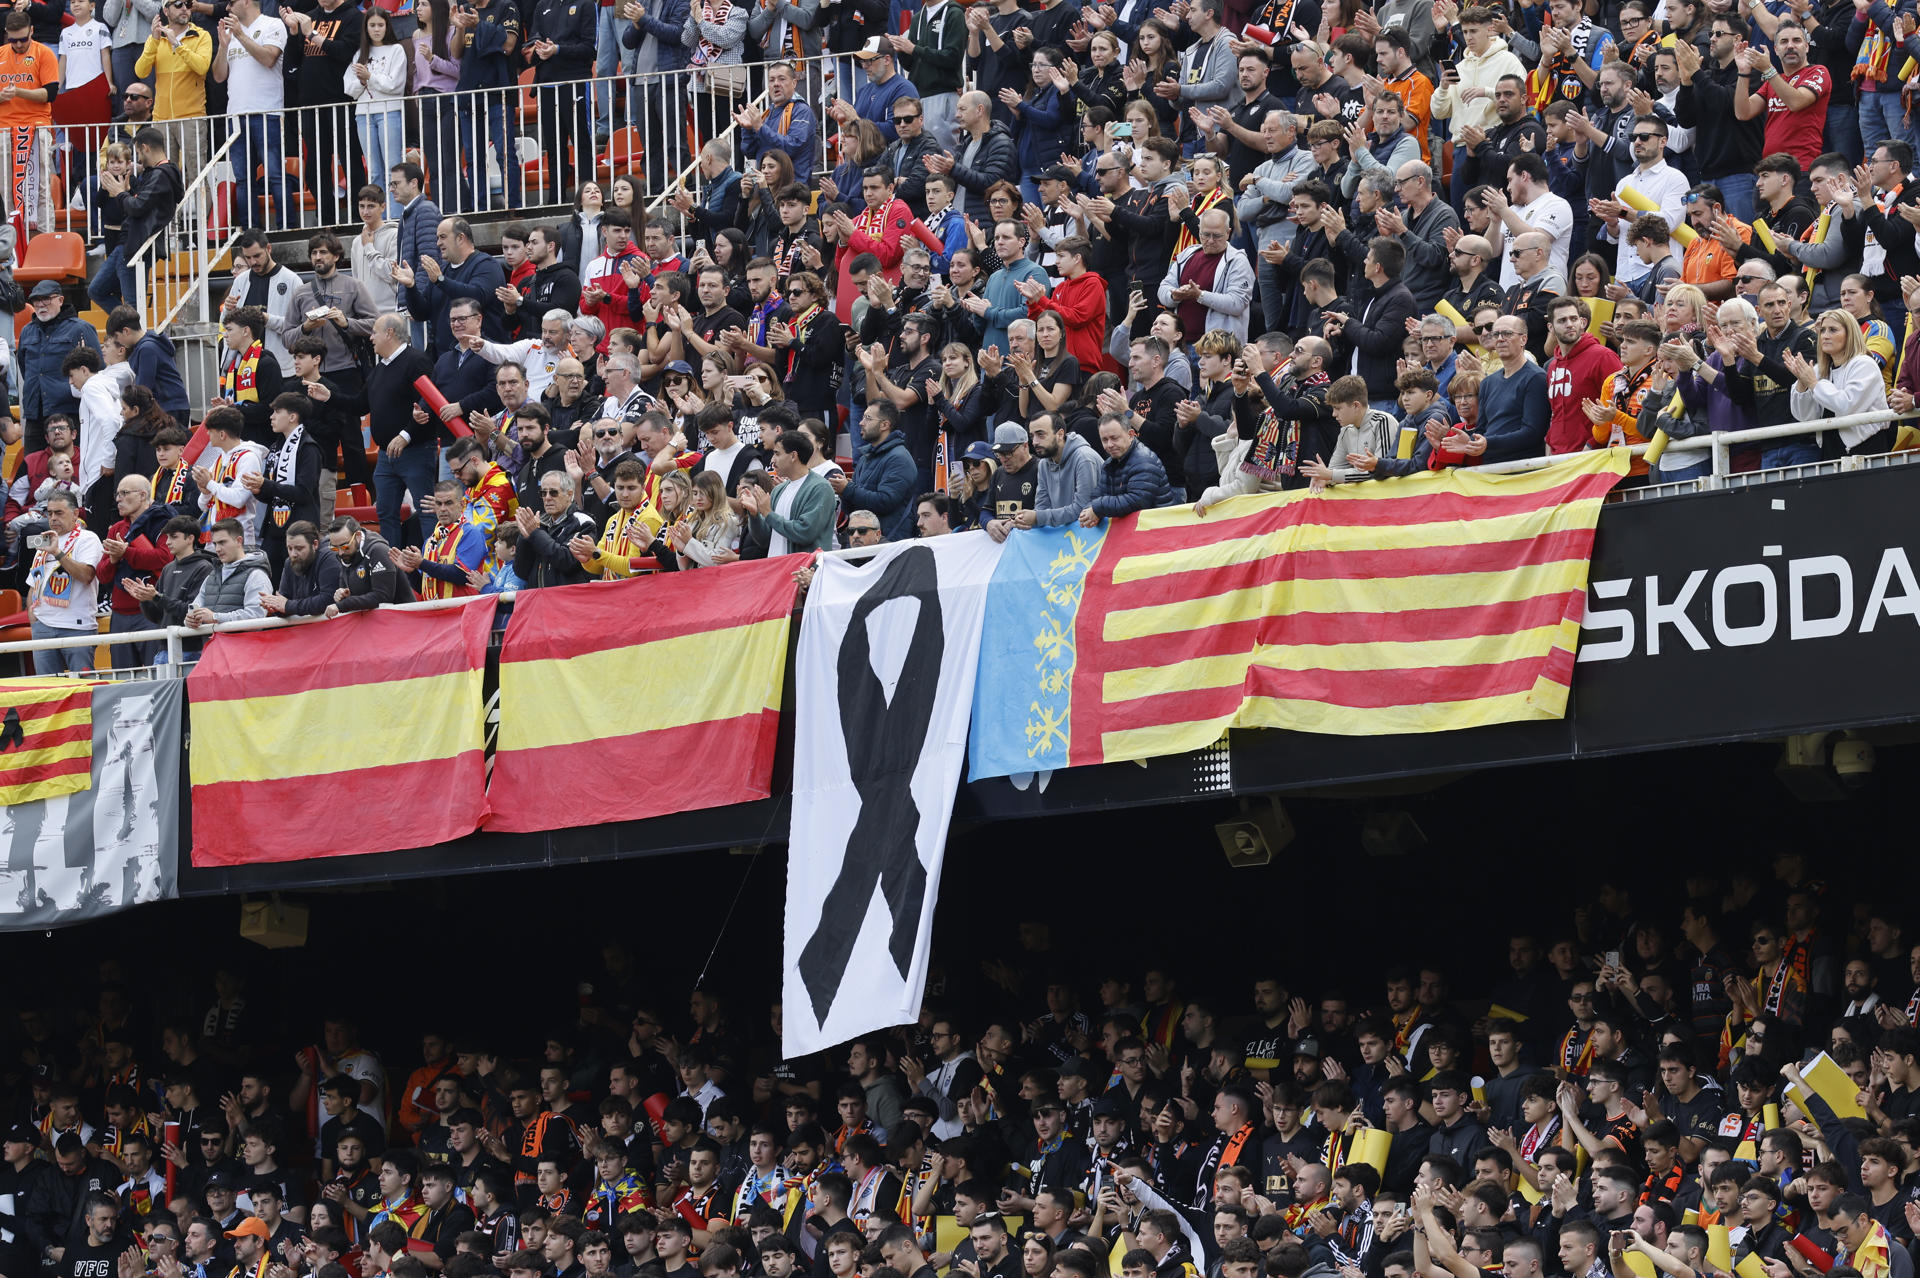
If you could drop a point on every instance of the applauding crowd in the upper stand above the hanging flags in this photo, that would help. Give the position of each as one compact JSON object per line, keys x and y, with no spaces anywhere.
{"x":1042,"y":266}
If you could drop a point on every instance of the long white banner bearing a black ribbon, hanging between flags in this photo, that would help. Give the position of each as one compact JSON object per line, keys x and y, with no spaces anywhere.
{"x":884,"y":692}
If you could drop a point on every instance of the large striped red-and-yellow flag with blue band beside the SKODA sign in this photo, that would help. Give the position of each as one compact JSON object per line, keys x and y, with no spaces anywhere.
{"x":1414,"y":605}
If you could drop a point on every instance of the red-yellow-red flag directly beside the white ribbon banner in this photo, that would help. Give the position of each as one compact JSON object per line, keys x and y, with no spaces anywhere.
{"x":608,"y":690}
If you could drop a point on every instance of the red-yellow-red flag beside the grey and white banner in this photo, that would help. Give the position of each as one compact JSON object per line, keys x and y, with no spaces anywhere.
{"x":348,"y":738}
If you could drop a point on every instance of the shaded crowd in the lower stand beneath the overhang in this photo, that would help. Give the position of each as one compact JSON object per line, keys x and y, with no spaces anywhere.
{"x":1644,"y":1093}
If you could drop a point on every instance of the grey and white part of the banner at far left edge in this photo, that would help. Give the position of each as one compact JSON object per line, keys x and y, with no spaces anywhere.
{"x":89,"y":855}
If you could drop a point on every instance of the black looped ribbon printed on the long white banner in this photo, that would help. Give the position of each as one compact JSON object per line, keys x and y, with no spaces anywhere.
{"x":884,"y":744}
